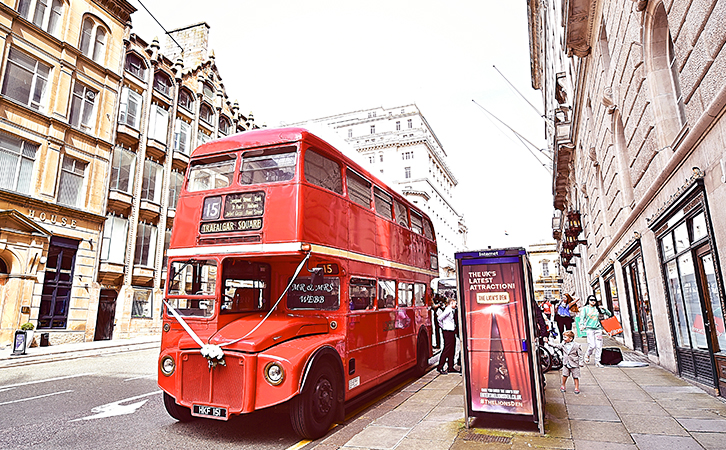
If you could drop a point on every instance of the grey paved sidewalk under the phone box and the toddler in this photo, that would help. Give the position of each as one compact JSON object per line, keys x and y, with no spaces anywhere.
{"x":619,"y":408}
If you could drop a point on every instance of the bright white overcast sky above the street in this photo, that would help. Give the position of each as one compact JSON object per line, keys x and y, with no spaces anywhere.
{"x":292,"y":60}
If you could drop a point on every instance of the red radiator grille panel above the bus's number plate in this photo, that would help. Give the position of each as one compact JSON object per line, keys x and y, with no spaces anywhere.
{"x":221,"y":386}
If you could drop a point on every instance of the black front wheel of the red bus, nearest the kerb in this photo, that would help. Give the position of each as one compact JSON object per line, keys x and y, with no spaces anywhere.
{"x":313,"y":412}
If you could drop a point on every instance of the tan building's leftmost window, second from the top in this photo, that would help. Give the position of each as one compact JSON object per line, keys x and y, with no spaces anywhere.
{"x":26,"y":80}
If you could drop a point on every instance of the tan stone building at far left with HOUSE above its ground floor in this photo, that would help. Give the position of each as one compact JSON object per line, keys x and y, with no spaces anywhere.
{"x":60,"y":77}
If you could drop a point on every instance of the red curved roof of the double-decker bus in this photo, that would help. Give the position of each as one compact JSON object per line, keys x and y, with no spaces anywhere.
{"x":265,"y":137}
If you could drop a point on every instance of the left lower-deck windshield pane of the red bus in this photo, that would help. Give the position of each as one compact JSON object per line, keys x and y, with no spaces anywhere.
{"x":192,"y":285}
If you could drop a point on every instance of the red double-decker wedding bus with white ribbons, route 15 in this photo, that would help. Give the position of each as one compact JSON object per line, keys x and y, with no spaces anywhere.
{"x":294,"y":276}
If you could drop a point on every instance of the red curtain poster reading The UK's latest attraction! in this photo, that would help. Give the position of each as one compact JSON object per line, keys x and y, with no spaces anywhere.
{"x":494,"y":295}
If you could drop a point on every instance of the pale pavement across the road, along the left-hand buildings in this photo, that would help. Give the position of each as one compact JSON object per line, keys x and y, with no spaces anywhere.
{"x":62,"y":352}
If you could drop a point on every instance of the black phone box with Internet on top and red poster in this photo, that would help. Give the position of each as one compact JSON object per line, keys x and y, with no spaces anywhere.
{"x":496,"y":308}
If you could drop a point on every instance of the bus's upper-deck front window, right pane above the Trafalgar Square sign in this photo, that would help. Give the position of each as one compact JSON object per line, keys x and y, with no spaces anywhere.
{"x":268,"y":167}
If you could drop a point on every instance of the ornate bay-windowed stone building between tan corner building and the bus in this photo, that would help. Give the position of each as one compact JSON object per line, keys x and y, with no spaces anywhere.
{"x":171,"y":102}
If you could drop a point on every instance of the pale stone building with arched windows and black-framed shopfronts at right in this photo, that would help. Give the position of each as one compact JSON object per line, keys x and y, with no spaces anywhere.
{"x":635,"y":92}
